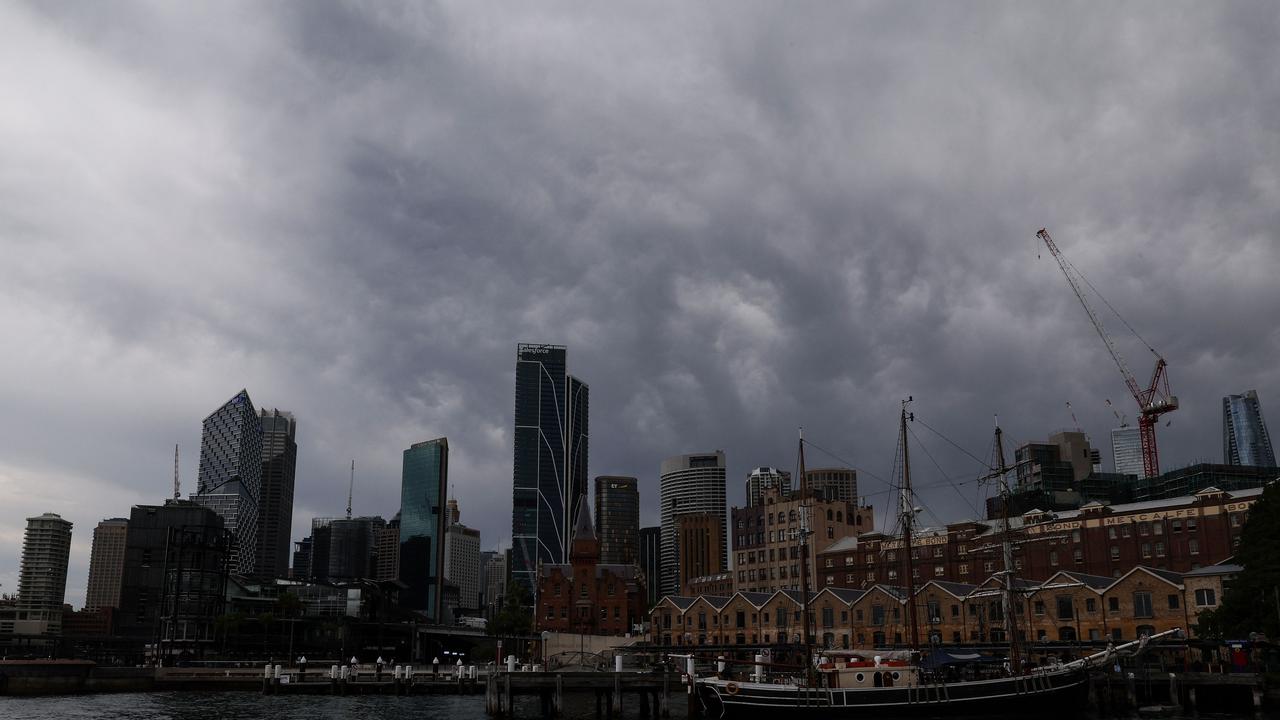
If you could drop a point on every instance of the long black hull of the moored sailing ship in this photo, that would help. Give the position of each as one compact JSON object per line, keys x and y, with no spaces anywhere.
{"x":1053,"y":694}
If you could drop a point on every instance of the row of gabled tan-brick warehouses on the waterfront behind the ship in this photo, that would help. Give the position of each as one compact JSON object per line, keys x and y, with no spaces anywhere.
{"x":1068,"y":608}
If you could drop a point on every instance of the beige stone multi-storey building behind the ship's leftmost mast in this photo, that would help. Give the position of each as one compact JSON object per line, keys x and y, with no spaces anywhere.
{"x":766,"y":537}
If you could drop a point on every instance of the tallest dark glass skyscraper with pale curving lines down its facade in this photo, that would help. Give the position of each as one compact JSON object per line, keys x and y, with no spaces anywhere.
{"x":551,"y":458}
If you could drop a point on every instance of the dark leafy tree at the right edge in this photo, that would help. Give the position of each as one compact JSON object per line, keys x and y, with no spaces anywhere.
{"x":1252,"y":601}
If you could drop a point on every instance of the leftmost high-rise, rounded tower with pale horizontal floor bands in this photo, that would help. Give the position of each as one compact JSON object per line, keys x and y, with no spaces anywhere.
{"x":43,"y":580}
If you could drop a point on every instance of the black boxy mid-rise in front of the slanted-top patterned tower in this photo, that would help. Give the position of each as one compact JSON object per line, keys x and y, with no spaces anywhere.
{"x":177,"y":559}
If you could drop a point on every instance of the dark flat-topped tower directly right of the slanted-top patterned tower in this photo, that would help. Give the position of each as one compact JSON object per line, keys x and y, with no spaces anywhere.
{"x":276,"y":498}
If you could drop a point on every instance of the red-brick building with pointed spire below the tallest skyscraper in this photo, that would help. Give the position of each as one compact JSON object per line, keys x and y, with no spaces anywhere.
{"x":588,"y":596}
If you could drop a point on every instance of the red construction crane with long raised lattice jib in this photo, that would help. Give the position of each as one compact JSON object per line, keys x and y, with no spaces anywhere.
{"x":1155,"y":400}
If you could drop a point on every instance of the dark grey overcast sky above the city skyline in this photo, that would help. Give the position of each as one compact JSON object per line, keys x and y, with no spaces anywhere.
{"x":739,"y":217}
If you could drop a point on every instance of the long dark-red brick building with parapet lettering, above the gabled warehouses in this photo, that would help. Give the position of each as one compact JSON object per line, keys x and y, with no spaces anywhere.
{"x":1177,"y":535}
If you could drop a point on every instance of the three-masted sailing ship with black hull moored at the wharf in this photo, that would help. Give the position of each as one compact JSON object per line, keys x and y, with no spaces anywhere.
{"x":897,"y":683}
